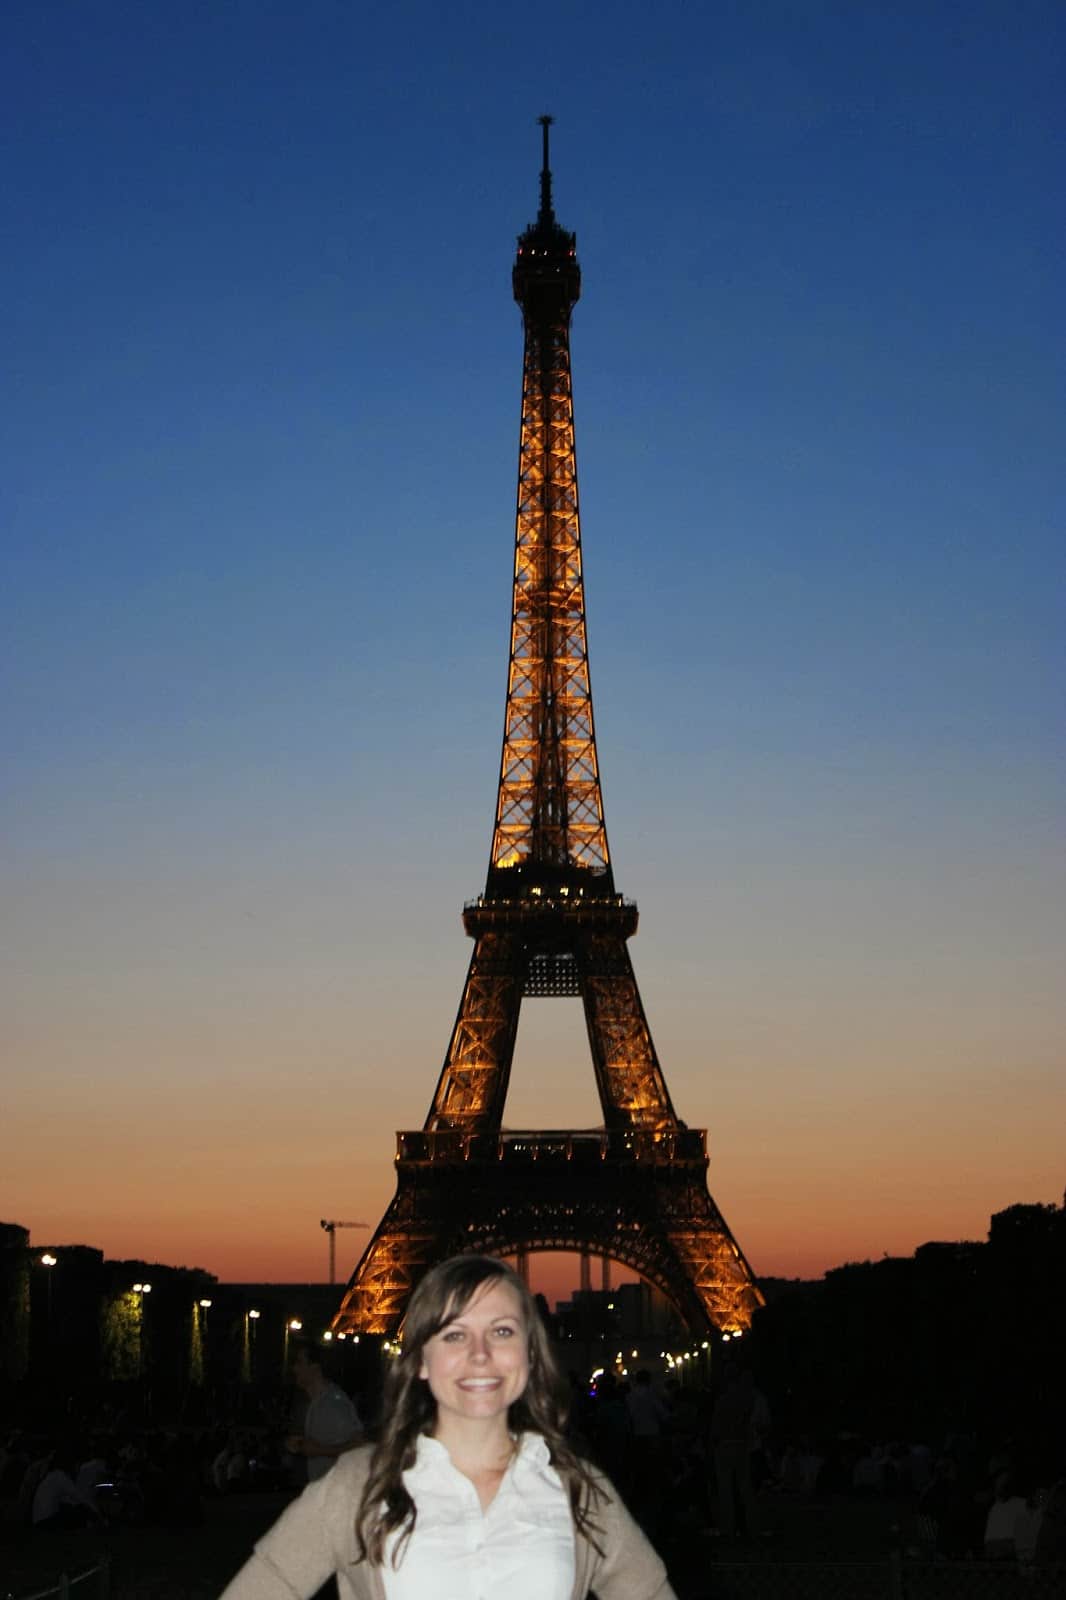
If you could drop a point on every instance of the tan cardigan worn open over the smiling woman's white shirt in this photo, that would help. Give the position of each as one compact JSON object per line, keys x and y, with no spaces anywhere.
{"x":316,"y":1538}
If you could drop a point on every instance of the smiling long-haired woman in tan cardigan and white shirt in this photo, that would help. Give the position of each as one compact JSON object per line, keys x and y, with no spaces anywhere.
{"x":473,"y":1490}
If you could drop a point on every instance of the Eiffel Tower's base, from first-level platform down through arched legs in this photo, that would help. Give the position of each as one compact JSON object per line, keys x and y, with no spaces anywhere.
{"x":638,"y":1198}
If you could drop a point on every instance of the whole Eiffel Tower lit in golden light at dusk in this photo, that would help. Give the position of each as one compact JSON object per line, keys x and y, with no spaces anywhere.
{"x":551,"y":924}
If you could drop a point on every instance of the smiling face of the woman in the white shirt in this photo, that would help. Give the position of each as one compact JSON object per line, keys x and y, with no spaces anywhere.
{"x":478,"y":1366}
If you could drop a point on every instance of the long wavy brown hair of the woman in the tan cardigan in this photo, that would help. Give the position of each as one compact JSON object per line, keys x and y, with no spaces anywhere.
{"x":411,"y":1409}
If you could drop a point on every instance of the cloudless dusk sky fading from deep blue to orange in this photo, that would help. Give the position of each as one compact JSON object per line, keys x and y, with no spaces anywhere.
{"x":258,"y":513}
